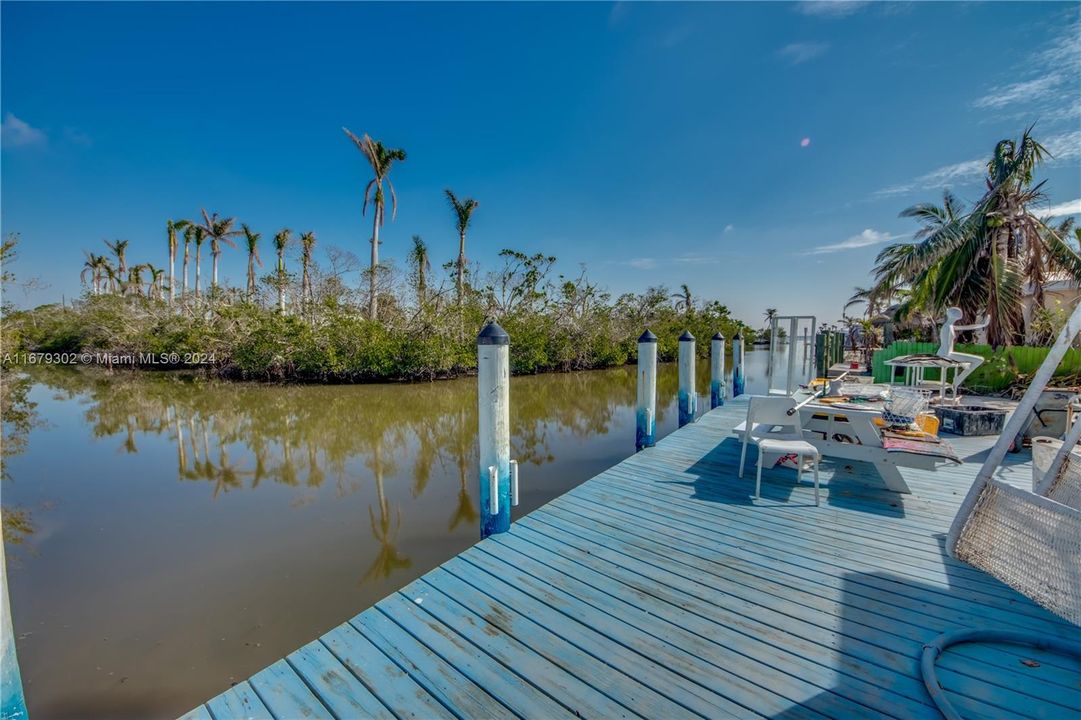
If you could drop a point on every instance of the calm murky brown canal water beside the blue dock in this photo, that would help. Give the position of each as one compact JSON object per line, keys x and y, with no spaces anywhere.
{"x":168,"y":537}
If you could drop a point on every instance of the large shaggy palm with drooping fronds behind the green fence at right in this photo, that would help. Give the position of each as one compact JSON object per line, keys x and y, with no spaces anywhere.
{"x":981,"y":261}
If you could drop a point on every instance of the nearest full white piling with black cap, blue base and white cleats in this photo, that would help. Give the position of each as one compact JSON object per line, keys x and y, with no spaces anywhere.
{"x":493,"y":403}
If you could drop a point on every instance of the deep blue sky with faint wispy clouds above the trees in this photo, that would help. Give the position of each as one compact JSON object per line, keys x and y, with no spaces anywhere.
{"x":758,"y":152}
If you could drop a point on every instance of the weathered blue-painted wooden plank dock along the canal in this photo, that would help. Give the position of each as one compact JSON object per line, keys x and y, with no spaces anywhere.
{"x":661,"y":590}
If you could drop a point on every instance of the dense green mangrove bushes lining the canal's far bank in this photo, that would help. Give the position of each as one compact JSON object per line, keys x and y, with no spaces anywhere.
{"x":318,"y":330}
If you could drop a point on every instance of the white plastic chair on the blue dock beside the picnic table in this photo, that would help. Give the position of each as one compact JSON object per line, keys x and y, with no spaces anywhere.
{"x":775,"y":425}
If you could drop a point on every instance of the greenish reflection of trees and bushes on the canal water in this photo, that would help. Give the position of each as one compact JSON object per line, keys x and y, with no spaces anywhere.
{"x":237,"y":436}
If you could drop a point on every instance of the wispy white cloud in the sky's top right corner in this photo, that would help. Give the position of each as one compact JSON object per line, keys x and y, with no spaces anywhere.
{"x":1048,"y":81}
